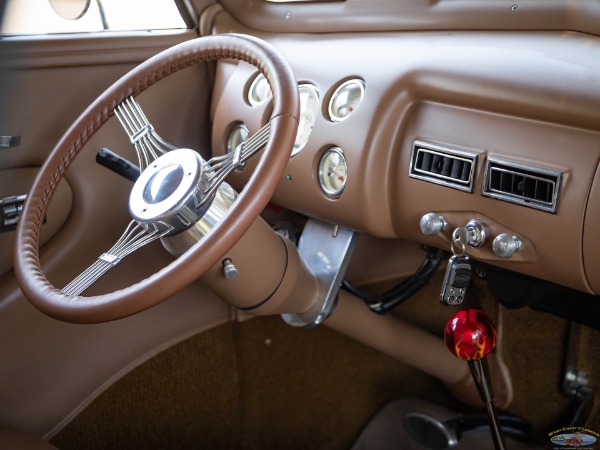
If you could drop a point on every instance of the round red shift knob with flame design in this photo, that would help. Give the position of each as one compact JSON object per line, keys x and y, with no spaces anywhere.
{"x":470,"y":334}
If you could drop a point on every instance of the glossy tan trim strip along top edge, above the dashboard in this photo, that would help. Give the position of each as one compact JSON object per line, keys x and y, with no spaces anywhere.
{"x":386,"y":15}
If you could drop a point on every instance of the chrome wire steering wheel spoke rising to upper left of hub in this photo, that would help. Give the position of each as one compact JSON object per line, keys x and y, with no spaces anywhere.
{"x":147,"y":143}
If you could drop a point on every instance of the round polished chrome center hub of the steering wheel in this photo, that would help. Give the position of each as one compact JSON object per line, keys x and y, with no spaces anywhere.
{"x":168,"y":191}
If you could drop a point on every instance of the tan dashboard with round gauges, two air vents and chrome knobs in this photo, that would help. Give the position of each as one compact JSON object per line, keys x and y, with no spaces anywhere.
{"x":499,"y":129}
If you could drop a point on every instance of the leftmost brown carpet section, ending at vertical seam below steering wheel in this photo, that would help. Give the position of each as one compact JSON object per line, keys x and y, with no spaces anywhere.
{"x":185,"y":398}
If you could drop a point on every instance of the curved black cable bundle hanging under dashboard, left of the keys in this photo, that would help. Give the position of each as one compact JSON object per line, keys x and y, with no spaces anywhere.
{"x":385,"y":302}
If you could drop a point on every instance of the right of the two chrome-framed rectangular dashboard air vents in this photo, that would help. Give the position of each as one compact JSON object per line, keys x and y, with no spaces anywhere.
{"x":521,"y":184}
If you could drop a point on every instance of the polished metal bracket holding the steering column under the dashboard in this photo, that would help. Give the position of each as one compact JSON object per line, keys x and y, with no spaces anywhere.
{"x":326,"y":249}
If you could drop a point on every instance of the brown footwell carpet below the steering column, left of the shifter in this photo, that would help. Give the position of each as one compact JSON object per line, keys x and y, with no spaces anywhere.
{"x":259,"y":384}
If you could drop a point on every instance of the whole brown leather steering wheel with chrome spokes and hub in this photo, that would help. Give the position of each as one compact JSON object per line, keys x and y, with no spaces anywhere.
{"x":119,"y":99}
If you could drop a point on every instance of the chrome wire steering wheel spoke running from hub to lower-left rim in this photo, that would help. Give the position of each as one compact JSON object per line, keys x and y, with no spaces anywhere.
{"x":135,"y":237}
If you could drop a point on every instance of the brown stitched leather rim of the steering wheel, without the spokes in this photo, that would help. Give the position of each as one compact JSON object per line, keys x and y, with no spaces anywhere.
{"x":187,"y":268}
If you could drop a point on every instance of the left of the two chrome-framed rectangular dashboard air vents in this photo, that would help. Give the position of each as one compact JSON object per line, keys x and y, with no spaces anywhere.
{"x":441,"y":165}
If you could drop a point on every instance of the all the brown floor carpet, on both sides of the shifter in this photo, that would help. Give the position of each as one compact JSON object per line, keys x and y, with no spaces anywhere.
{"x":261,"y":384}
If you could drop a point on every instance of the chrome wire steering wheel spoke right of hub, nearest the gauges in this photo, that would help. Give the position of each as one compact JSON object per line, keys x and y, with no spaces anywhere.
{"x":219,"y":167}
